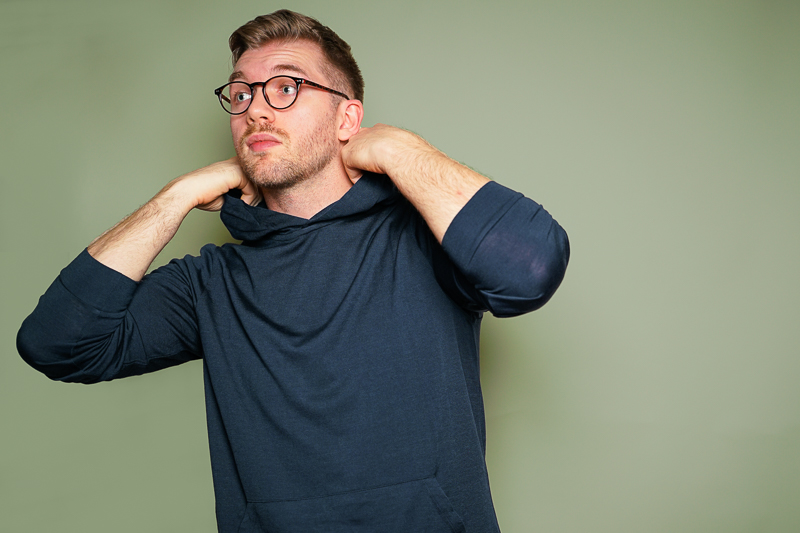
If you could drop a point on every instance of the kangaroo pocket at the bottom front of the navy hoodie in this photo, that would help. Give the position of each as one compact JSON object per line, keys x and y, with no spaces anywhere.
{"x":419,"y":506}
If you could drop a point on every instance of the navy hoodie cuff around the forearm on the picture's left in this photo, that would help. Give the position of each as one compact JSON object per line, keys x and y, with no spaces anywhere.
{"x":97,"y":285}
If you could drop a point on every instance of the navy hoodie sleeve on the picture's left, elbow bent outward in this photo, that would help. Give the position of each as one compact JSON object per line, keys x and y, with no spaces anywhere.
{"x":95,"y":324}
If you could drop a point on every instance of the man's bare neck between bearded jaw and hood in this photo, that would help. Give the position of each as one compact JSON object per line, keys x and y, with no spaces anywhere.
{"x":310,"y":196}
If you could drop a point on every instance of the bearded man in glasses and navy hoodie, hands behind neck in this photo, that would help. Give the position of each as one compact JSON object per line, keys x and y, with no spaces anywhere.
{"x":340,"y":339}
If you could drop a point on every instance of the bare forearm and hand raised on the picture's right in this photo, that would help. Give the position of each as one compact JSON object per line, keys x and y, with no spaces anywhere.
{"x":437,"y":186}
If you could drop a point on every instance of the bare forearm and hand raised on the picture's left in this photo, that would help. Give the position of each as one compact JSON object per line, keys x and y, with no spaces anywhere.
{"x":132,"y":245}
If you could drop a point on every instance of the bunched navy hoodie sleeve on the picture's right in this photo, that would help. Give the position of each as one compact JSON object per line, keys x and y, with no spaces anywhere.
{"x":510,"y":254}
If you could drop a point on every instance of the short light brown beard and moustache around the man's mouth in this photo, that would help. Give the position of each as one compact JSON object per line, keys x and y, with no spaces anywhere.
{"x":303,"y":159}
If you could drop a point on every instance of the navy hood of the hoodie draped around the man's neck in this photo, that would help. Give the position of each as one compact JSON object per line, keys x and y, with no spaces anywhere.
{"x":254,"y":223}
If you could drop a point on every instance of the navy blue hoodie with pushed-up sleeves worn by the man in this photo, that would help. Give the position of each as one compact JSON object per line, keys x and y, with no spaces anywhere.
{"x":340,"y":353}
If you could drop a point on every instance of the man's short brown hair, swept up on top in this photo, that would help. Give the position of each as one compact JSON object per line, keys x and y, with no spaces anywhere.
{"x":285,"y":25}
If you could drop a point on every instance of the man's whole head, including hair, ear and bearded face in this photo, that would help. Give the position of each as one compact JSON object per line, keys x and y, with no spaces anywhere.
{"x":279,"y":147}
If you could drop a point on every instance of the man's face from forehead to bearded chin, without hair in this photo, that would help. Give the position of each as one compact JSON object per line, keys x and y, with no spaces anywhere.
{"x":280,"y":148}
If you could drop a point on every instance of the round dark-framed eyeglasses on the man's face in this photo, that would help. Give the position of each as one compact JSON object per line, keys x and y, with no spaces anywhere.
{"x":280,"y":92}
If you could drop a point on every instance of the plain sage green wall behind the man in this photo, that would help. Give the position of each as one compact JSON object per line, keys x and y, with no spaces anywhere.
{"x":658,"y":391}
